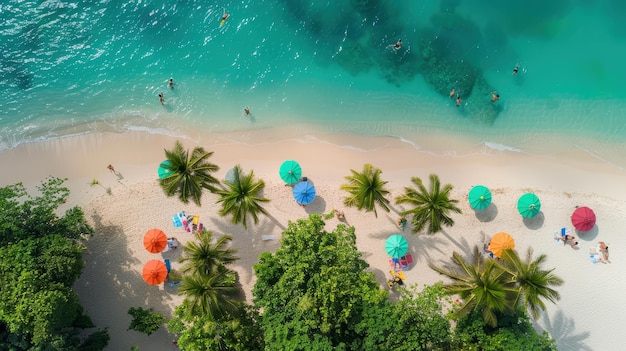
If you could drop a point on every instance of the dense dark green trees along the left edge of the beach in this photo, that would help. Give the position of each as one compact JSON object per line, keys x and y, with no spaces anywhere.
{"x":40,"y":259}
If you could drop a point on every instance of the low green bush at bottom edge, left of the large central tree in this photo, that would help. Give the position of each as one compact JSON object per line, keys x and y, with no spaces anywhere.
{"x":239,"y":331}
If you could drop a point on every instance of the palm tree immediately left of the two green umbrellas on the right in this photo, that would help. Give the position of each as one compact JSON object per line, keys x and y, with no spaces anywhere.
{"x":430,"y":206}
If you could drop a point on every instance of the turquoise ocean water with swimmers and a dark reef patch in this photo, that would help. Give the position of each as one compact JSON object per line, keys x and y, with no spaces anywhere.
{"x":71,"y":67}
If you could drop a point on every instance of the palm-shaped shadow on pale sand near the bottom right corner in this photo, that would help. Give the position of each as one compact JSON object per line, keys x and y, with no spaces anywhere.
{"x":561,"y":330}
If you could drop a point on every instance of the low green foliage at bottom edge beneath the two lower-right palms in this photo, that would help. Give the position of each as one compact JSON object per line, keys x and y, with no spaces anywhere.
{"x":514,"y":333}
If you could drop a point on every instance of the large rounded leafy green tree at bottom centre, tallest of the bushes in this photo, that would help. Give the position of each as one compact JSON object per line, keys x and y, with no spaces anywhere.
{"x":313,"y":289}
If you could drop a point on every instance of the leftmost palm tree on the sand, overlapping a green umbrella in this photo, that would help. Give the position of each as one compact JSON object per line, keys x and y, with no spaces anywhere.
{"x":190,"y":173}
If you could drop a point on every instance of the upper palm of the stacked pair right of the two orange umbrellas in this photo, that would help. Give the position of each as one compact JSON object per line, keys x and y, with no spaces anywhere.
{"x":205,"y":256}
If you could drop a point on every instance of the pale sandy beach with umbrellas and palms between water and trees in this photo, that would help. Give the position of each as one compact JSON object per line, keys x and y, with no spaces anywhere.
{"x":127,"y":204}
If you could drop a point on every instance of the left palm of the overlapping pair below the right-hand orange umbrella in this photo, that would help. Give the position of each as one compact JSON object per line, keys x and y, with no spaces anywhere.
{"x":481,"y":285}
